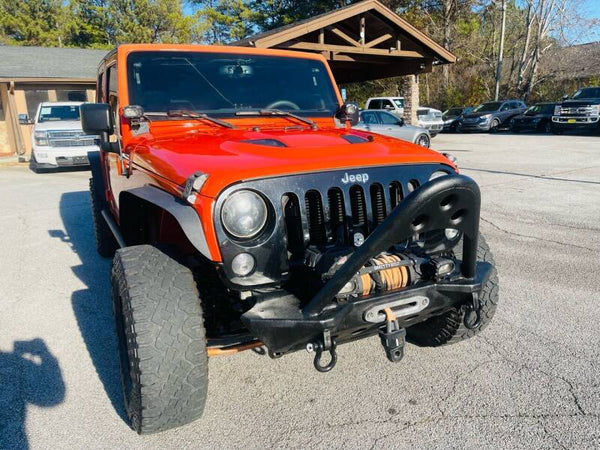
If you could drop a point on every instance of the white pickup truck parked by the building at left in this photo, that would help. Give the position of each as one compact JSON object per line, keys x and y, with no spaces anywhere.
{"x":57,"y":138}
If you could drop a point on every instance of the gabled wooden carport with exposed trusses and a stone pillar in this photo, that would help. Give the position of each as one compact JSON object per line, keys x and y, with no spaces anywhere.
{"x":364,"y":41}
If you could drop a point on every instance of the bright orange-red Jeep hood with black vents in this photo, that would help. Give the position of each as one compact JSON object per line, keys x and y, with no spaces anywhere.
{"x":236,"y":155}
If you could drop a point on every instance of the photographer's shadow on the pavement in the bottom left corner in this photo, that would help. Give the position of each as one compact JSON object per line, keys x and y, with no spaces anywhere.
{"x":30,"y":374}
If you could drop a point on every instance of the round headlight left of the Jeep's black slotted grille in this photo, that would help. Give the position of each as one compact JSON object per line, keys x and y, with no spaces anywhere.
{"x":244,"y":214}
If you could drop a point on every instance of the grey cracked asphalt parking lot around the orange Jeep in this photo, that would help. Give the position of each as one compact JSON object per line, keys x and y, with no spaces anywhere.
{"x":530,"y":380}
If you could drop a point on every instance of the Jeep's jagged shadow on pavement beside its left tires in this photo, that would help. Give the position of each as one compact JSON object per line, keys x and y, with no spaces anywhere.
{"x":92,"y":305}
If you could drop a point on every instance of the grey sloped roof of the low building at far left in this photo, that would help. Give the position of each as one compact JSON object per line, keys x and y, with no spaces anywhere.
{"x":20,"y":63}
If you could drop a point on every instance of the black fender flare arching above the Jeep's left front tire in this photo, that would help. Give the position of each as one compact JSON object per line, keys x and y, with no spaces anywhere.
{"x":184,"y":214}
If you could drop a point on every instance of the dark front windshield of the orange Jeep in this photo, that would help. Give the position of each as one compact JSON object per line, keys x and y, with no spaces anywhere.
{"x":221,"y":84}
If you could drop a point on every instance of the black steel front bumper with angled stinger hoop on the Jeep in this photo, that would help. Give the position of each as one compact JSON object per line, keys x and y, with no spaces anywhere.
{"x":284,"y":324}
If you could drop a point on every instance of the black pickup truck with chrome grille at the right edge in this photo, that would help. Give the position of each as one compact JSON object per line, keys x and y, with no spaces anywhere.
{"x":580,"y":112}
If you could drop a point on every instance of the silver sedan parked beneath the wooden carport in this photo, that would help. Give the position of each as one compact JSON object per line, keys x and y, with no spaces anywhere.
{"x":382,"y":122}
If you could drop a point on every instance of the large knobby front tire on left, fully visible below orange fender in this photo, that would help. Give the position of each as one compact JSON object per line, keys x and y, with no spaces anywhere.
{"x":161,"y":339}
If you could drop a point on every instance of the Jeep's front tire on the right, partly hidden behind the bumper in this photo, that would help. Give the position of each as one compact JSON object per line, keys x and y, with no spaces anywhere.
{"x":449,"y":327}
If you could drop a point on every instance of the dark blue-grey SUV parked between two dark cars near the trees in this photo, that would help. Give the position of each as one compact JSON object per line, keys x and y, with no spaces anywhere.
{"x":491,"y":116}
